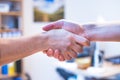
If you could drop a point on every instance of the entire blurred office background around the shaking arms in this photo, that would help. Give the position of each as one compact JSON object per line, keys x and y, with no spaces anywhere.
{"x":99,"y":61}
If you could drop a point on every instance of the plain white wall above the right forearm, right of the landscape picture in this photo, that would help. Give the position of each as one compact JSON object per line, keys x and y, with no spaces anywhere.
{"x":87,"y":11}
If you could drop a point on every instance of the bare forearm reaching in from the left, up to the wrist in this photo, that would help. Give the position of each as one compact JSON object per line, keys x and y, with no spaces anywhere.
{"x":17,"y":48}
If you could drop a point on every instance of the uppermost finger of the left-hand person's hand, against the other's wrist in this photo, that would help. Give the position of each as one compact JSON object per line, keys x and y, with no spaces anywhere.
{"x":81,"y":40}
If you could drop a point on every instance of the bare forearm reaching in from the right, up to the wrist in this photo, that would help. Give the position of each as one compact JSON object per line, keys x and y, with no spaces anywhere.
{"x":102,"y":32}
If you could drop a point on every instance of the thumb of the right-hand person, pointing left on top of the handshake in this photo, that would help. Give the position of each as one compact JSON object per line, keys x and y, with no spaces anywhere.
{"x":54,"y":25}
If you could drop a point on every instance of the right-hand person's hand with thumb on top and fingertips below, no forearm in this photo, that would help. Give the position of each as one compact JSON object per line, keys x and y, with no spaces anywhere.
{"x":69,"y":26}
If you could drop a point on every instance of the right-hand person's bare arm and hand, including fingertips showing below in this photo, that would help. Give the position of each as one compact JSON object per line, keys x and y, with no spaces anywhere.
{"x":93,"y":32}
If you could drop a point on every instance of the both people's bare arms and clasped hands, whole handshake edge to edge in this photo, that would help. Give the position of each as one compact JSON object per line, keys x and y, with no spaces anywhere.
{"x":62,"y":40}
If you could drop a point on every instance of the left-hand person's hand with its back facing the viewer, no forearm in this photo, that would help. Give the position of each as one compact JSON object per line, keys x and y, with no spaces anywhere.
{"x":67,"y":43}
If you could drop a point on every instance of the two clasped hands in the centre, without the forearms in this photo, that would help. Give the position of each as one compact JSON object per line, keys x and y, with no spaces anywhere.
{"x":65,"y":39}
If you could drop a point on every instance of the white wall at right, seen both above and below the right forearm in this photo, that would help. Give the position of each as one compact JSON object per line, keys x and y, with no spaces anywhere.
{"x":84,"y":11}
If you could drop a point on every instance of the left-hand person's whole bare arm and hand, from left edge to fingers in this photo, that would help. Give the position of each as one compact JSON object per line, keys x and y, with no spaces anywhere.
{"x":12,"y":49}
